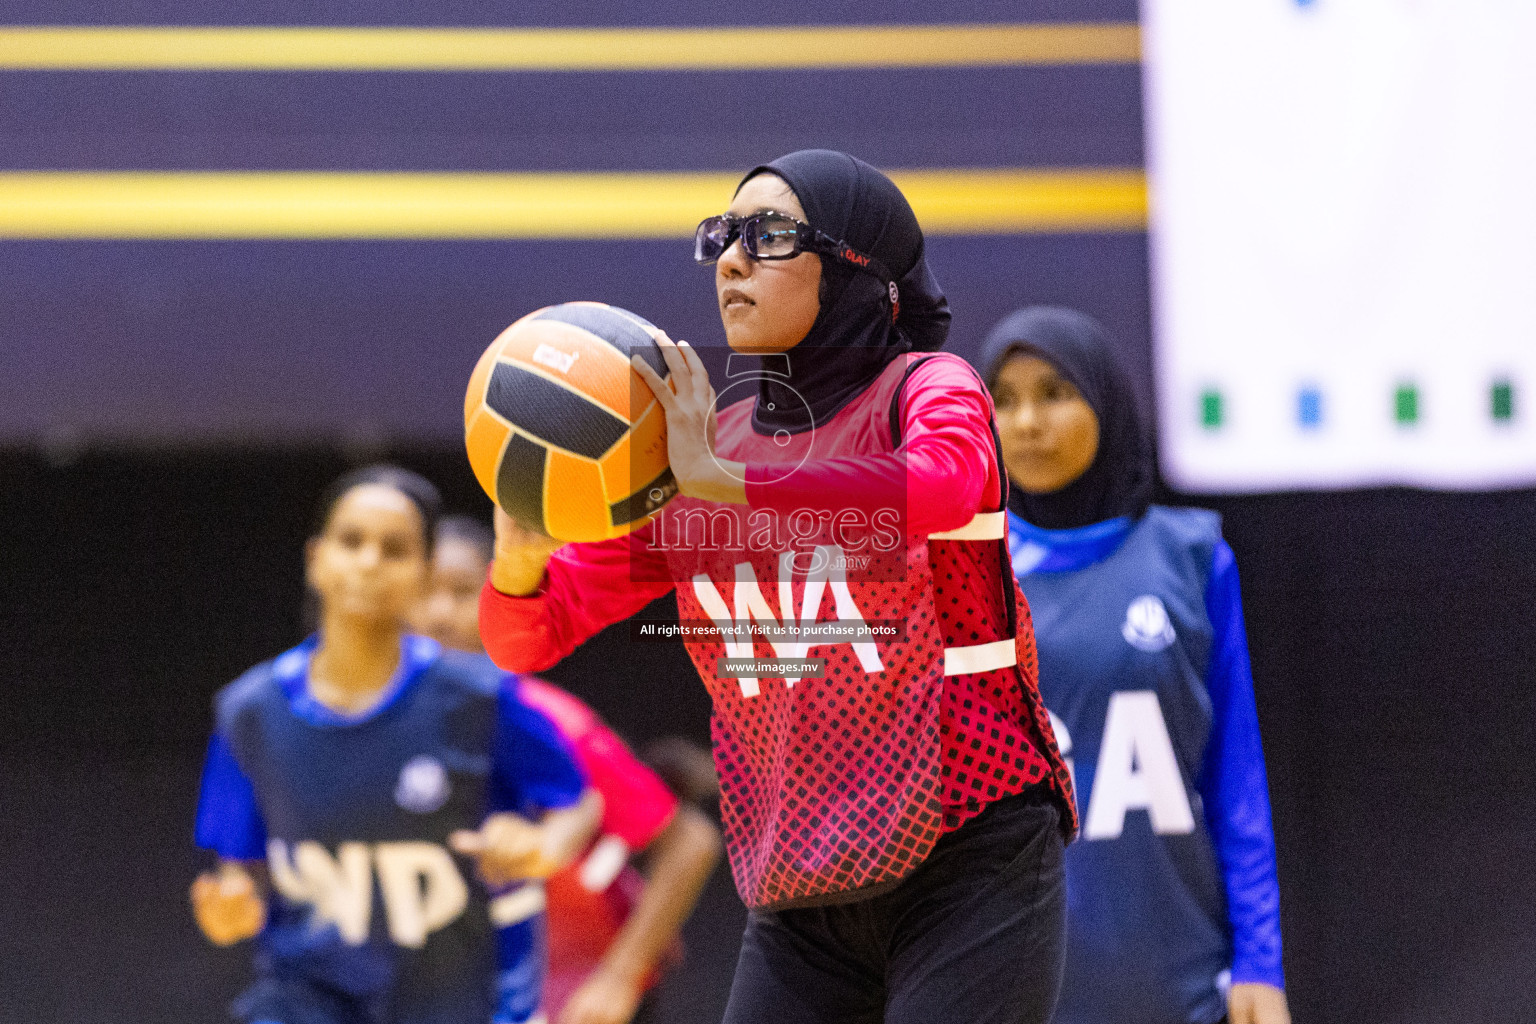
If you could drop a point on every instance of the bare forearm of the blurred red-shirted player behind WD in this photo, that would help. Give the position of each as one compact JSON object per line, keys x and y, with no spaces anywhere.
{"x":683,"y":859}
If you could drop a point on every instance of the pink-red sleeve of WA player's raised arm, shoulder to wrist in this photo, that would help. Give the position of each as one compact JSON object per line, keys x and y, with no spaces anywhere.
{"x":944,"y":474}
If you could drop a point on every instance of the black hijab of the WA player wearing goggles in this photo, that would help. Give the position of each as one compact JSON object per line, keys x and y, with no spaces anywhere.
{"x":853,"y":339}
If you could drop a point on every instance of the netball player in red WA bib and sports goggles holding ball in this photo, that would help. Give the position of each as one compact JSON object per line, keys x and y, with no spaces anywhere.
{"x":893,"y":802}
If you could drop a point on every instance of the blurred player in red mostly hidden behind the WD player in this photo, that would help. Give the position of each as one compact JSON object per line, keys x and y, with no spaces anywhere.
{"x":612,"y":931}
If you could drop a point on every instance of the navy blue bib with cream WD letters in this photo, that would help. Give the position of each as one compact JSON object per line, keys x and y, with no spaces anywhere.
{"x":371,"y":913}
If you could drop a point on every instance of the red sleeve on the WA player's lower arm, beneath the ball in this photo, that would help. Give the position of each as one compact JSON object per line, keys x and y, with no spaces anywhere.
{"x":586,"y":587}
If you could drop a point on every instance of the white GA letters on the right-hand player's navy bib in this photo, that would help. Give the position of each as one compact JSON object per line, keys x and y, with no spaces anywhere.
{"x":1137,"y":770}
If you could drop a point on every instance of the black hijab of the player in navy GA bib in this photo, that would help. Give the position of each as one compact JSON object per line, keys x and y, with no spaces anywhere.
{"x":1119,"y":481}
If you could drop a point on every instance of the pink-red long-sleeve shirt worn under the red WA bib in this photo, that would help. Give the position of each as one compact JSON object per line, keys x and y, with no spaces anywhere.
{"x":942,"y":475}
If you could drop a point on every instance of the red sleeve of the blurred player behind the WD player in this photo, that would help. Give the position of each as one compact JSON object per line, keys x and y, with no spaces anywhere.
{"x":637,"y":804}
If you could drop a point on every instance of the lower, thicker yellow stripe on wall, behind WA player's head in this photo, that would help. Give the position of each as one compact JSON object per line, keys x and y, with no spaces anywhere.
{"x":351,"y":205}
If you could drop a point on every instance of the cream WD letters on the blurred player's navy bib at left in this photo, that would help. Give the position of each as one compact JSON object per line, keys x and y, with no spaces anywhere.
{"x":419,"y":882}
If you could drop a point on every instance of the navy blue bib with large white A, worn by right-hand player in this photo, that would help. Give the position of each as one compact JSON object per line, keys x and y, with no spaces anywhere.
{"x":1125,"y":646}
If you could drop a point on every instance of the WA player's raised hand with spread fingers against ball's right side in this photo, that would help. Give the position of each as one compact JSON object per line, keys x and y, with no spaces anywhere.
{"x":689,"y":401}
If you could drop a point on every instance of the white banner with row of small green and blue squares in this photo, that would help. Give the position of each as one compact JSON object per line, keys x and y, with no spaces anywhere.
{"x":1343,"y":242}
